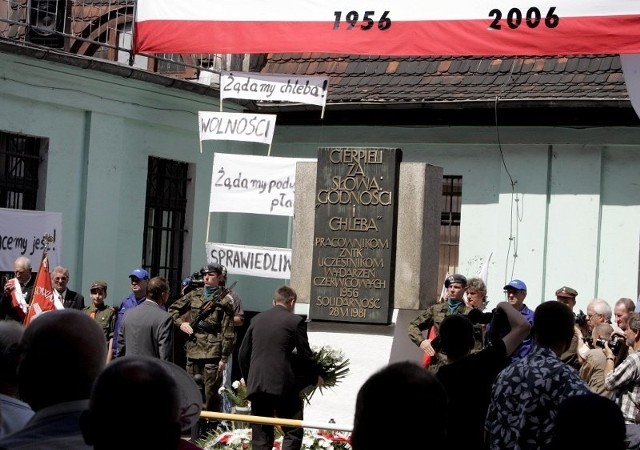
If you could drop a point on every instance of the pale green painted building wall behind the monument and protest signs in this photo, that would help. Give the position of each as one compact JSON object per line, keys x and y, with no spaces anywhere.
{"x":574,"y":190}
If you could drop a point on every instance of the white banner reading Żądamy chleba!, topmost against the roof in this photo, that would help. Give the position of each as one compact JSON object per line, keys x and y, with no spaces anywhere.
{"x":311,"y":90}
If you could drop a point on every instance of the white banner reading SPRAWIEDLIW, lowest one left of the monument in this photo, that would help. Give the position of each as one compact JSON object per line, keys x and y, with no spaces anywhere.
{"x":266,"y":262}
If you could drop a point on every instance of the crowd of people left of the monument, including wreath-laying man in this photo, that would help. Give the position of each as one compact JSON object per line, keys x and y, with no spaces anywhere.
{"x":119,"y":362}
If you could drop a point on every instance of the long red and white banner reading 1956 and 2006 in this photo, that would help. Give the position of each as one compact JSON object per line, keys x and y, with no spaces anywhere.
{"x":389,"y":27}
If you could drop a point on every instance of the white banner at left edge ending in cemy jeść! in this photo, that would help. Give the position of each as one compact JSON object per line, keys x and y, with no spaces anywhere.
{"x":21,"y":234}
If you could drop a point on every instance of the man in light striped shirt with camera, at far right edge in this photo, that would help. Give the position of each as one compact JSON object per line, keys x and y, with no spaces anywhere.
{"x":624,"y":380}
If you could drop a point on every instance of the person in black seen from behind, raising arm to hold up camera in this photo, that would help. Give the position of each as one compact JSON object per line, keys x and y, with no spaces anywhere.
{"x":456,"y":341}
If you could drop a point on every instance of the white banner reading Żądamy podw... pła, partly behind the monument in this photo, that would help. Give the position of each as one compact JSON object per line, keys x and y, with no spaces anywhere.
{"x":253,"y":184}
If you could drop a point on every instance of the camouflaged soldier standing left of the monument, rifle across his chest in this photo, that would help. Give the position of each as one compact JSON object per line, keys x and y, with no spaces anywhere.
{"x":211,"y":340}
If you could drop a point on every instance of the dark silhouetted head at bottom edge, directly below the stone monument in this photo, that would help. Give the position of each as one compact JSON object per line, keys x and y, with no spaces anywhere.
{"x":388,"y":401}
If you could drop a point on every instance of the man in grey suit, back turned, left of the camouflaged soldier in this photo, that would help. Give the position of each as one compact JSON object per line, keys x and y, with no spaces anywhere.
{"x":148,"y":328}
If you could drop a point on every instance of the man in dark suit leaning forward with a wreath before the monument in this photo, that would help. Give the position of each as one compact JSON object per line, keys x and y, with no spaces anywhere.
{"x":266,"y":361}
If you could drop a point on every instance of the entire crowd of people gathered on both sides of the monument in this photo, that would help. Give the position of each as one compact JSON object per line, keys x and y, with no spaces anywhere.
{"x":512,"y":377}
